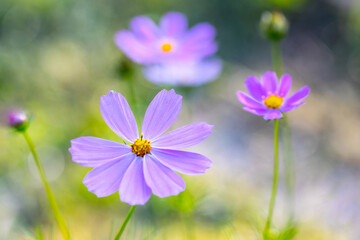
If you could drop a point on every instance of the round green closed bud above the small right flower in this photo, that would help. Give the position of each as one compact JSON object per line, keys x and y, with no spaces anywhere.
{"x":274,"y":25}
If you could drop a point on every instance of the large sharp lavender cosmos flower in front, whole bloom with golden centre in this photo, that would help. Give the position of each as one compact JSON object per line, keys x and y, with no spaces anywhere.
{"x":148,"y":164}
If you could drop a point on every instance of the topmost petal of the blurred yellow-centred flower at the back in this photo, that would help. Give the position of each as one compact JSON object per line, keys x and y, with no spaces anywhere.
{"x":173,"y":23}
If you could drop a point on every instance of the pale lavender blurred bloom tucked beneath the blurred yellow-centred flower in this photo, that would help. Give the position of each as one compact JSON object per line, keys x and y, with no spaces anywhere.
{"x":187,"y":73}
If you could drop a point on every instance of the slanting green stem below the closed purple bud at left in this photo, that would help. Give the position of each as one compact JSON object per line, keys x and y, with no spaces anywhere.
{"x":51,"y":198}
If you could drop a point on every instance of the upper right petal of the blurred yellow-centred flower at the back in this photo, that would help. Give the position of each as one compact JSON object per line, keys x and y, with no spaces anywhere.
{"x":199,"y":41}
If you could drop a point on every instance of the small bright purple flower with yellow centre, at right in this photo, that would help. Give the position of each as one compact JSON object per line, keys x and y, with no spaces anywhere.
{"x":270,"y":98}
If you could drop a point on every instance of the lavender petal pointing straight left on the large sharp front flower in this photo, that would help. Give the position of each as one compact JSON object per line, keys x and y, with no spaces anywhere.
{"x":92,"y":151}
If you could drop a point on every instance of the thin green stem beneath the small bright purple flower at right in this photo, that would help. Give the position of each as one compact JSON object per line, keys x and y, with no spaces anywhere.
{"x":275,"y":178}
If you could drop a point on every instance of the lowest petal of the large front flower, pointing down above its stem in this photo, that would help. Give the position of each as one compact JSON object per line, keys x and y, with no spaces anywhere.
{"x":133,"y":188}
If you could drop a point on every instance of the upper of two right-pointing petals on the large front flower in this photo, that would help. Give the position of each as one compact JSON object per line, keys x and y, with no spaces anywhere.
{"x":184,"y":137}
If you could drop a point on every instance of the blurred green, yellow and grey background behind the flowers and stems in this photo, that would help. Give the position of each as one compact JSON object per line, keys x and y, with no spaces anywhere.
{"x":57,"y":58}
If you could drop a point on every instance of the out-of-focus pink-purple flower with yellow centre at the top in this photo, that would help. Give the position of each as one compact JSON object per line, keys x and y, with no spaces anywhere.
{"x":148,"y":43}
